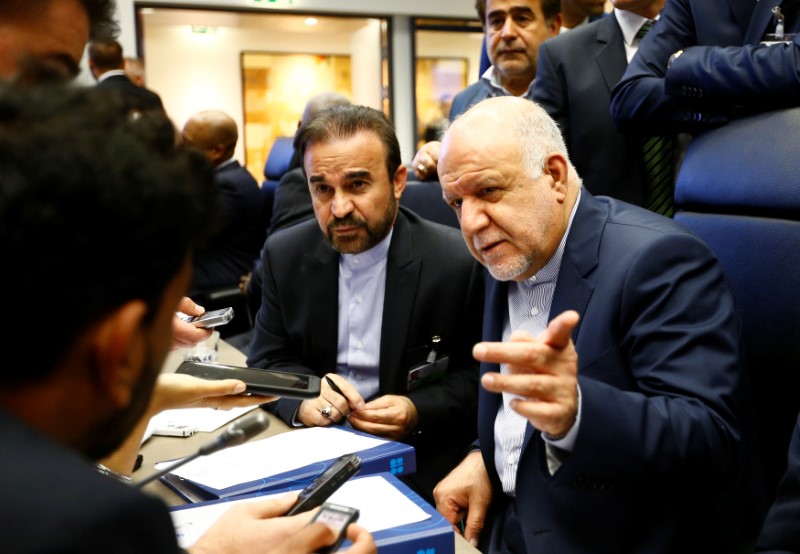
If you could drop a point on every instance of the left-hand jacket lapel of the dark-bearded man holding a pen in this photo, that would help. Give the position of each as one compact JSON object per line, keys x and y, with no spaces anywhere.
{"x":322,"y":271}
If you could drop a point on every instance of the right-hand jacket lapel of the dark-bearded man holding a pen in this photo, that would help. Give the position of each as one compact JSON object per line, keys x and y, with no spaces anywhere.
{"x":402,"y":278}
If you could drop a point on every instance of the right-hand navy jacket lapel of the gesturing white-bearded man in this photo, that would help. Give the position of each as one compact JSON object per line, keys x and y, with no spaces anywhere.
{"x":573,"y":292}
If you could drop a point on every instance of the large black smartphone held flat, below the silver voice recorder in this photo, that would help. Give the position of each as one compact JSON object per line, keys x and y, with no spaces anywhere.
{"x":265,"y":382}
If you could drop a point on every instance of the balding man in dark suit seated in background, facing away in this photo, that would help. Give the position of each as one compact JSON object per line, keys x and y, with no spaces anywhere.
{"x":234,"y":247}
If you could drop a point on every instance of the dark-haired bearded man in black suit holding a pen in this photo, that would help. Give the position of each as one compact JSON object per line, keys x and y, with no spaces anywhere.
{"x":370,"y":295}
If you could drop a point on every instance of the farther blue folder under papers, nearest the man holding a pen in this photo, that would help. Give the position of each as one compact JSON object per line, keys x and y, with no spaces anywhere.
{"x":393,"y":457}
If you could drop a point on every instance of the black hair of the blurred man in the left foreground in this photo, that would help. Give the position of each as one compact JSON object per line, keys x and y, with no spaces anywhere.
{"x":96,"y":209}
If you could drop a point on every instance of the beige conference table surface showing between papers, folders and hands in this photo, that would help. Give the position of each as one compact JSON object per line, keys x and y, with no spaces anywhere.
{"x":157,"y":448}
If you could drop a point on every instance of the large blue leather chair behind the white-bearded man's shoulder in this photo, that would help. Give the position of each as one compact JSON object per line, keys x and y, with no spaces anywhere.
{"x":739,"y":189}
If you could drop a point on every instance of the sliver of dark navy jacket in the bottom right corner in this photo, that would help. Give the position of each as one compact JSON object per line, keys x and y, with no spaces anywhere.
{"x":781,"y":531}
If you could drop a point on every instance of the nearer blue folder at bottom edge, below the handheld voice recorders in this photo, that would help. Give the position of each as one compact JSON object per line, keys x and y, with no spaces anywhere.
{"x":434,"y":535}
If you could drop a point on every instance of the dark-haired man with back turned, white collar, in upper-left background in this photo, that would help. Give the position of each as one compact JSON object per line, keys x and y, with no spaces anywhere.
{"x":108,"y":67}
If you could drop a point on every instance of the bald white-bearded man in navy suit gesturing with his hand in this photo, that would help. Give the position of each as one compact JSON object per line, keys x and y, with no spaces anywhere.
{"x":611,"y":411}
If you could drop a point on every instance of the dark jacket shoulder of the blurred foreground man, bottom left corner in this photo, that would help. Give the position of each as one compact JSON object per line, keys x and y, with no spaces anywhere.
{"x":52,"y":500}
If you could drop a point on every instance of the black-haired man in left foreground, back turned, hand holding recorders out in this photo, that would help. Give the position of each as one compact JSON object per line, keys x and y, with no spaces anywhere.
{"x":74,"y":164}
